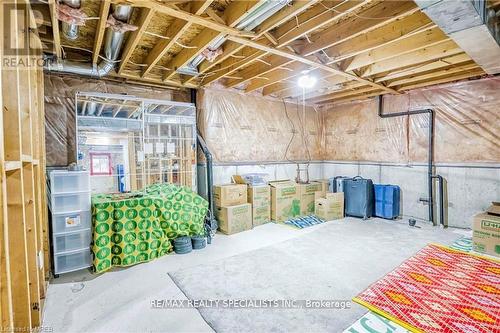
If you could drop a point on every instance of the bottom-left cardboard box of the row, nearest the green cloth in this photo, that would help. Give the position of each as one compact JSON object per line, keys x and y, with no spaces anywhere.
{"x":234,"y":219}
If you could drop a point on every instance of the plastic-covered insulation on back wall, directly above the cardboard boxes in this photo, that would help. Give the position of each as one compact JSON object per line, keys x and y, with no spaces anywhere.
{"x":239,"y":128}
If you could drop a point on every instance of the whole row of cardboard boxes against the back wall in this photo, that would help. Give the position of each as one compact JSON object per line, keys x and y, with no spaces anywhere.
{"x":242,"y":206}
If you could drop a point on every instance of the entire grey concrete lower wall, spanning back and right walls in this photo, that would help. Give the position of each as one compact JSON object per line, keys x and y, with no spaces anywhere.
{"x":470,"y":188}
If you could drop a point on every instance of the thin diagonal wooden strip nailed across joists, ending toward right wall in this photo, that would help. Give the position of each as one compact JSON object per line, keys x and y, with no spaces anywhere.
{"x":308,"y":61}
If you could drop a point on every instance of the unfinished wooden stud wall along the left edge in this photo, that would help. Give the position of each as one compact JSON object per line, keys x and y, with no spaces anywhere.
{"x":23,"y":218}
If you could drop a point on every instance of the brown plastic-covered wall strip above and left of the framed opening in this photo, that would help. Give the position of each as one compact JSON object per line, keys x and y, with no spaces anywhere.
{"x":60,"y":122}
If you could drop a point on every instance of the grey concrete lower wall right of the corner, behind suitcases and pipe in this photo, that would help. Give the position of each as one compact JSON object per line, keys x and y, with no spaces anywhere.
{"x":470,"y":188}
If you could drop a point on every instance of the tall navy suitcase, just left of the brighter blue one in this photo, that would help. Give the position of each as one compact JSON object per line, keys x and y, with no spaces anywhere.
{"x":359,"y":197}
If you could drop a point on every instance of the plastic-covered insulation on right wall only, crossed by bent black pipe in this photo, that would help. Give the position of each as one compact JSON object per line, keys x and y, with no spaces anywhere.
{"x":467,"y":126}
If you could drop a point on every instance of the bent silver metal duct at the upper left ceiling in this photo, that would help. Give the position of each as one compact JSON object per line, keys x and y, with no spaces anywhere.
{"x":113,"y":42}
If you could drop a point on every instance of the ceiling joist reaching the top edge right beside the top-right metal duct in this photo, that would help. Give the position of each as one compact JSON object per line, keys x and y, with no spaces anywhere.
{"x":387,"y":11}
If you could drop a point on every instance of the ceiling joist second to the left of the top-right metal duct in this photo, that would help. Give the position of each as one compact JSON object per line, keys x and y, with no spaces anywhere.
{"x":320,"y":15}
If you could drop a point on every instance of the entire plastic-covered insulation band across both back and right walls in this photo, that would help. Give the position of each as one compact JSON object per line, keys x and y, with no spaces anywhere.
{"x":239,"y":127}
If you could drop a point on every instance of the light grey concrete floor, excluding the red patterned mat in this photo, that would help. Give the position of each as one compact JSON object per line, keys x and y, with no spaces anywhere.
{"x":120,"y":300}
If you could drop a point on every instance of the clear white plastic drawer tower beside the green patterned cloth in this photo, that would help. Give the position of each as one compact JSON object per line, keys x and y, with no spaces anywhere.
{"x":69,"y":196}
